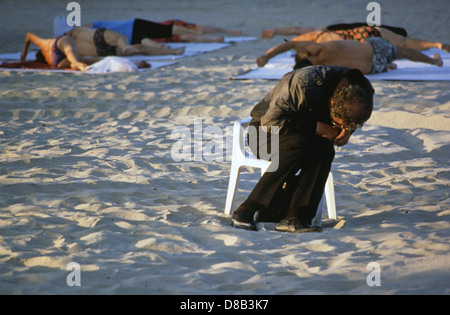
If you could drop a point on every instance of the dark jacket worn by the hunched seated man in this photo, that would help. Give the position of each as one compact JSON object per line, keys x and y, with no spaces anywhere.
{"x":302,"y":98}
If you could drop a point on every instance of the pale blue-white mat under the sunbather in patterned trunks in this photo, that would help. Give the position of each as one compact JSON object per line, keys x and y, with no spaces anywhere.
{"x":406,"y":71}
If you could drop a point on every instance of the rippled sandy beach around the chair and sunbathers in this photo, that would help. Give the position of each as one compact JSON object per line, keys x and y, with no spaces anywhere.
{"x":87,"y":173}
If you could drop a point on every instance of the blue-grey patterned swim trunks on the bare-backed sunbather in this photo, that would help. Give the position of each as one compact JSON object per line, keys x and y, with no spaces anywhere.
{"x":383,"y":54}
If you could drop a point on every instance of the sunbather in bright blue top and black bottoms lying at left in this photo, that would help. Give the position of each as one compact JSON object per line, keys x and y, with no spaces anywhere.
{"x":139,"y":31}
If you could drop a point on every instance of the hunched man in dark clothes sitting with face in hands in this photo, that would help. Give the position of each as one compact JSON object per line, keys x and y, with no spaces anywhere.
{"x":314,"y":109}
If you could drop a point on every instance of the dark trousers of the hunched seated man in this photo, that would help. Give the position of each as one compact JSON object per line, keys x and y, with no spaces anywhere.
{"x":294,"y":195}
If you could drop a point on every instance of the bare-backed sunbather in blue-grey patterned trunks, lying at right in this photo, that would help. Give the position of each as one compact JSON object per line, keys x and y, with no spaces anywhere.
{"x":374,"y":55}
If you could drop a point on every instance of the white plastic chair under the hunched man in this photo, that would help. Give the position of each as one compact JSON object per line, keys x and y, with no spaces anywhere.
{"x":242,"y":156}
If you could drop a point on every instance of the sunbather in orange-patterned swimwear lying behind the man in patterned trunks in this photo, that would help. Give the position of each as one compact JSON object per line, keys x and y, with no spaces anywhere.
{"x":355,"y":31}
